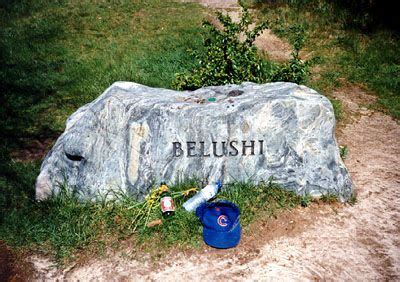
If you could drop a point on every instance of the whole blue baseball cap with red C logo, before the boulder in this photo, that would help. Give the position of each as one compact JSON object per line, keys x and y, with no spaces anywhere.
{"x":221,"y":224}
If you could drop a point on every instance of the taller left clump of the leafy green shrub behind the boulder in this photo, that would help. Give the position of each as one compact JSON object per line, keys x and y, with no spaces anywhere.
{"x":228,"y":58}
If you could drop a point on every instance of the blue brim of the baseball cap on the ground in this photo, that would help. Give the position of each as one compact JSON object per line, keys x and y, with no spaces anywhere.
{"x":222,"y":240}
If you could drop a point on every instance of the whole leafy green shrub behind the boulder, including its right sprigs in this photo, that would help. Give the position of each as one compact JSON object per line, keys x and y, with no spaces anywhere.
{"x":230,"y":56}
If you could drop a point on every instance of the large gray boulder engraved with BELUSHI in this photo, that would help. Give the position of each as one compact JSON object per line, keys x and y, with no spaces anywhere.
{"x":134,"y":136}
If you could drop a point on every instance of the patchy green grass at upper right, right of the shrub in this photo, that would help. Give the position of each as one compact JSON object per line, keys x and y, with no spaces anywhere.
{"x":371,"y":59}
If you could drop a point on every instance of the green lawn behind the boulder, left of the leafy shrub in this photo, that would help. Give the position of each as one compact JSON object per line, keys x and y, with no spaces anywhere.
{"x":56,"y":57}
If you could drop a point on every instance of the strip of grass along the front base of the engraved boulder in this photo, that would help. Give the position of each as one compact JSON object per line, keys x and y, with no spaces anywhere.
{"x":66,"y":228}
